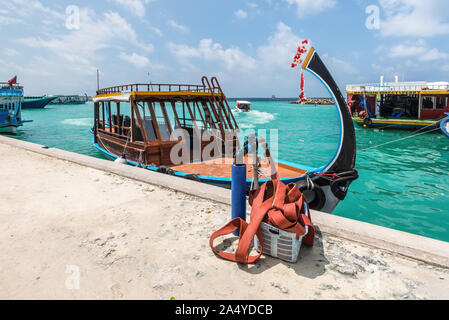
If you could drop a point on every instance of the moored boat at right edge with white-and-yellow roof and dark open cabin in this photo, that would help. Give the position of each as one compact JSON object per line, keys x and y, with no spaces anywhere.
{"x":416,"y":105}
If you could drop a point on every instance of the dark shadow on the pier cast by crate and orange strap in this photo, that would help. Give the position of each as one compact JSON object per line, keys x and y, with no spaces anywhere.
{"x":311,"y":263}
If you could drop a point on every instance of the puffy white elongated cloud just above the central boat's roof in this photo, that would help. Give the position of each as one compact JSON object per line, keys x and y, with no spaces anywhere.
{"x":232,"y":57}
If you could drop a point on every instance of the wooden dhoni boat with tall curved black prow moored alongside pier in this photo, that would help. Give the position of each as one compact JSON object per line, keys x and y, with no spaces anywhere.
{"x":145,"y":135}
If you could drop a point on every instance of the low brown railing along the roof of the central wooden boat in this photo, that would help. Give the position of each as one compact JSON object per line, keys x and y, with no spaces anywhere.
{"x":155,"y":87}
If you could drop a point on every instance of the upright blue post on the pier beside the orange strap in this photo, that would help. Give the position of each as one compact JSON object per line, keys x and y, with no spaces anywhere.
{"x":238,"y":186}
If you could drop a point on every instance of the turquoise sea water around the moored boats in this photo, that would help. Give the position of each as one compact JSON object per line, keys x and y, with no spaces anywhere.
{"x":404,"y":185}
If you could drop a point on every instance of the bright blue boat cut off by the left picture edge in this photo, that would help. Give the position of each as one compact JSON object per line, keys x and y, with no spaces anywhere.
{"x":11,"y":97}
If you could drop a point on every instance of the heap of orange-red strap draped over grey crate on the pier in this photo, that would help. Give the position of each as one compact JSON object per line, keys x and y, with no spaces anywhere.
{"x":278,"y":205}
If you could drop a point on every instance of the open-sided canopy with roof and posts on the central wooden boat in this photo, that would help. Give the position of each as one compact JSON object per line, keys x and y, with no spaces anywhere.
{"x":194,"y":107}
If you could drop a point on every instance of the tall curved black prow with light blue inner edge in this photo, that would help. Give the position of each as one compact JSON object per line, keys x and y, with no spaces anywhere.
{"x":332,"y":183}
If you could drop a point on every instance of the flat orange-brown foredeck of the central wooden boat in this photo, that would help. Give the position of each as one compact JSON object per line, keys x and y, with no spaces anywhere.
{"x":222,"y":168}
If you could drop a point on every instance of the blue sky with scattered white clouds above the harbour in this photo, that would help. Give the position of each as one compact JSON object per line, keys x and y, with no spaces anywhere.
{"x":248,"y":45}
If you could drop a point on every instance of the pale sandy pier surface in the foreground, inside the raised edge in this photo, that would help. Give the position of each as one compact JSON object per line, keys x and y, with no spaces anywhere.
{"x":72,"y":232}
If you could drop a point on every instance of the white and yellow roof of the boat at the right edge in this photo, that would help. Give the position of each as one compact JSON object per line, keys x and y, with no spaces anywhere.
{"x":400,"y":88}
